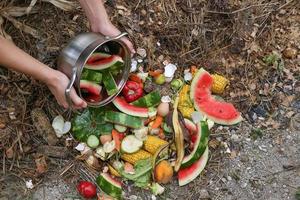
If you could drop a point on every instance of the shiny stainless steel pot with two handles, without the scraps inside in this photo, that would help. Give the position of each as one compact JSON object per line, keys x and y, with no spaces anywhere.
{"x":74,"y":56}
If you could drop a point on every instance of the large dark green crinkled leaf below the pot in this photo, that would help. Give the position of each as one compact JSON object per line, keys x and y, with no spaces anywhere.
{"x":90,"y":122}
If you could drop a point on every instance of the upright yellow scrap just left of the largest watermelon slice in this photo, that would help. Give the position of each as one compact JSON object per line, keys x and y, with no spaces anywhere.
{"x":185,"y":105}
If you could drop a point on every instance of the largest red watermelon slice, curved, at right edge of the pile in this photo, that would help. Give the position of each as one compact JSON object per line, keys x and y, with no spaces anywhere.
{"x":220,"y":112}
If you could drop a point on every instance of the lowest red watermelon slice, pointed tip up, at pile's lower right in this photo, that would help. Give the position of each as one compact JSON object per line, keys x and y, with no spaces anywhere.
{"x":187,"y":175}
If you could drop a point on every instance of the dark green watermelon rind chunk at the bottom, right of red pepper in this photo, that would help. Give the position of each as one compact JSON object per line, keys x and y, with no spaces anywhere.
{"x":109,"y":185}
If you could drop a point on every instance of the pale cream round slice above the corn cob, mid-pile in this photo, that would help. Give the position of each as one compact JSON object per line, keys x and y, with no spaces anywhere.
{"x":130,"y":144}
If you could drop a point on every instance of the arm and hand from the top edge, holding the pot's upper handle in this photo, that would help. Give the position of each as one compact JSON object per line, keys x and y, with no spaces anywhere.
{"x":99,"y":20}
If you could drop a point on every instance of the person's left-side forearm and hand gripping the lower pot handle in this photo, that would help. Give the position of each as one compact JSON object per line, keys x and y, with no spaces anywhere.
{"x":15,"y":59}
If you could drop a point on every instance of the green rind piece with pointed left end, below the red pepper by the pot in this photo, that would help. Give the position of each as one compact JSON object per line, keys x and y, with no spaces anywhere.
{"x":150,"y":100}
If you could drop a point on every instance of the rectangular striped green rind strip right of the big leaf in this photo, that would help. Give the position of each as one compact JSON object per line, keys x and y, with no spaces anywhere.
{"x":123,"y":119}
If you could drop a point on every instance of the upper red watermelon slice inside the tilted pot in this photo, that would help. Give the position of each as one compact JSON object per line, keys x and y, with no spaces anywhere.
{"x":99,"y":61}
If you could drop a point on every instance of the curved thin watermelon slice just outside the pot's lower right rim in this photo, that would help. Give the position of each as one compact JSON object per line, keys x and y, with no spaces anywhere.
{"x":129,"y":109}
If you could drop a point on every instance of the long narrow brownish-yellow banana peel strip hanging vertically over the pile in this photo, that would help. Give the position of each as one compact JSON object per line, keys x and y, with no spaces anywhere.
{"x":178,"y":135}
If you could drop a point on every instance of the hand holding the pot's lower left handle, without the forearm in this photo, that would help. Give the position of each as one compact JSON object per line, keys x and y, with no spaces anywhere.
{"x":57,"y":83}
